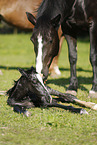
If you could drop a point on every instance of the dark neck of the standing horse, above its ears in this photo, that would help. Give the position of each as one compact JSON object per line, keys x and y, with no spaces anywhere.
{"x":51,"y":8}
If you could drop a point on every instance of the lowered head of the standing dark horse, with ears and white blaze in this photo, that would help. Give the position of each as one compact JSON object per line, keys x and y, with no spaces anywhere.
{"x":46,"y":42}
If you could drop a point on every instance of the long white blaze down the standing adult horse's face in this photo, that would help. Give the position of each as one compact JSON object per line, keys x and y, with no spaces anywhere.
{"x":39,"y":64}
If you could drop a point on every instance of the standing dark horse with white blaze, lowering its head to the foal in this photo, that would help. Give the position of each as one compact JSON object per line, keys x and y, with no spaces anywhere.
{"x":73,"y":16}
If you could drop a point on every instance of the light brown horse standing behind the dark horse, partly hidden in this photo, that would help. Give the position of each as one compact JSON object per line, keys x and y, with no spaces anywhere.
{"x":14,"y":12}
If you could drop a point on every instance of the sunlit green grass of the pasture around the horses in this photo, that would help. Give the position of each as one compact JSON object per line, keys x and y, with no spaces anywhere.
{"x":52,"y":125}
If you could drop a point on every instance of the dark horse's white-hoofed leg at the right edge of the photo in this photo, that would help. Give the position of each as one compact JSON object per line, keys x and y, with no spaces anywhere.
{"x":93,"y":57}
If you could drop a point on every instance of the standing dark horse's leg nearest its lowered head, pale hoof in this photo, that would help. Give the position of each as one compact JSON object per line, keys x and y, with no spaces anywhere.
{"x":72,"y":46}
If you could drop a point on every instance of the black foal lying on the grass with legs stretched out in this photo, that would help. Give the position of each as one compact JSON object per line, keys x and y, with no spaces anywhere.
{"x":29,"y":91}
